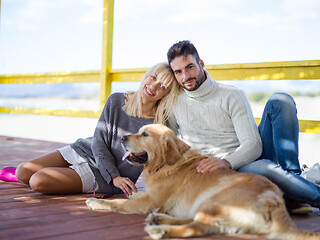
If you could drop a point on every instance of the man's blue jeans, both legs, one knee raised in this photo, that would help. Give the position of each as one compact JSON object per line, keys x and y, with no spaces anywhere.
{"x":279,"y":131}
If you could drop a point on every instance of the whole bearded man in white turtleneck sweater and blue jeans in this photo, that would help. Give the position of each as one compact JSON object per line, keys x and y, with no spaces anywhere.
{"x":217,"y":120}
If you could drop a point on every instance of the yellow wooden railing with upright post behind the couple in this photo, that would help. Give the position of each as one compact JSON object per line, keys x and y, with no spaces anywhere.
{"x":295,"y":70}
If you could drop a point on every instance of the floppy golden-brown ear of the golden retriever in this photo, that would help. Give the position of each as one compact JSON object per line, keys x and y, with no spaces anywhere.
{"x":172,"y":148}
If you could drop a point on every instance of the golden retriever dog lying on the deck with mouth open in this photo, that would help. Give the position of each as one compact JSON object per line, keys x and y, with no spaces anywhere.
{"x":186,"y":203}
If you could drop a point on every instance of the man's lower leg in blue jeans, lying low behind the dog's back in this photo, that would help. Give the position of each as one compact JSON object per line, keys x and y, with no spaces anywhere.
{"x":294,"y":186}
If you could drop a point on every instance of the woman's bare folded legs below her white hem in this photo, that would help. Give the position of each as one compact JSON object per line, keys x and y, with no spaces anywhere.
{"x":50,"y":174}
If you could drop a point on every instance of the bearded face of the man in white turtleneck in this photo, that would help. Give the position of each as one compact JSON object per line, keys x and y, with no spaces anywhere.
{"x":188,"y":72}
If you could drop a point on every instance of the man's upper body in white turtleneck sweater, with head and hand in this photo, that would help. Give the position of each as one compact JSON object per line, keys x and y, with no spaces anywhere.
{"x":213,"y":118}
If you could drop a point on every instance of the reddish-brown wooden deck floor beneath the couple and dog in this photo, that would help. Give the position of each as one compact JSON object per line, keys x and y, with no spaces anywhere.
{"x":25,"y":214}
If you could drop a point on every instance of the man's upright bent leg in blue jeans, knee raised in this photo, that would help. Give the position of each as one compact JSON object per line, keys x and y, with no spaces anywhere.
{"x":279,"y":131}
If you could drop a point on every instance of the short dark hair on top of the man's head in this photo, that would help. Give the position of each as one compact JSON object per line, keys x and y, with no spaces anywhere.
{"x":182,"y":48}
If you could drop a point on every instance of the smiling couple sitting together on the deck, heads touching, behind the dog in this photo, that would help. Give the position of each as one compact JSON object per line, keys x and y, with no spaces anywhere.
{"x":214,"y":118}
